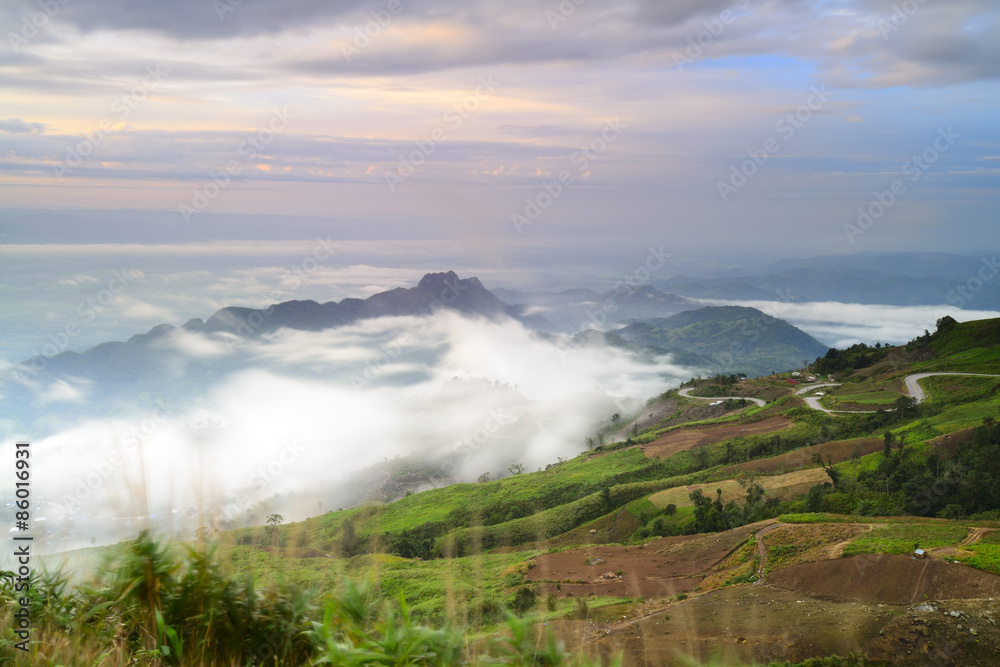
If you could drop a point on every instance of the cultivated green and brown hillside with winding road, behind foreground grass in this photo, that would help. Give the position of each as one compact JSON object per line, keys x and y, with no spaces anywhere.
{"x":725,"y":530}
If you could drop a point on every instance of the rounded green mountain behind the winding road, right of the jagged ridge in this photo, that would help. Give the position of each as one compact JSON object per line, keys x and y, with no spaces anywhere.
{"x":735,"y":338}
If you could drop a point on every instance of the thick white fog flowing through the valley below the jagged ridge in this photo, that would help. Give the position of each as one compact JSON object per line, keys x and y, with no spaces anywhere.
{"x":304,"y":414}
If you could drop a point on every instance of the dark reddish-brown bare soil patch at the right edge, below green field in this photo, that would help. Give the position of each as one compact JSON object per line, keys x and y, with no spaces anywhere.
{"x":887,"y":579}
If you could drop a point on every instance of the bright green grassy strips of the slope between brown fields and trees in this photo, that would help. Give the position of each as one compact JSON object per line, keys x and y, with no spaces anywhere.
{"x":568,"y":504}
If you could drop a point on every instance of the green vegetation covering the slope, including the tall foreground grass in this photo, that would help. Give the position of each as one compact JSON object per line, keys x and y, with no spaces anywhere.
{"x":447,"y":576}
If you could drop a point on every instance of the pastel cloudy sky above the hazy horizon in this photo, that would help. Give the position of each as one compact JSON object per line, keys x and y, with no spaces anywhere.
{"x":458,"y":120}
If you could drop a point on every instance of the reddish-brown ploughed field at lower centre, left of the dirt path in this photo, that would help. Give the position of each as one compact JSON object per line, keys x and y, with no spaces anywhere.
{"x":661,"y":568}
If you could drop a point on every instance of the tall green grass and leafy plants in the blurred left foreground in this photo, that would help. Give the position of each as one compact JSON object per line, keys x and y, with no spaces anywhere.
{"x":159,"y":604}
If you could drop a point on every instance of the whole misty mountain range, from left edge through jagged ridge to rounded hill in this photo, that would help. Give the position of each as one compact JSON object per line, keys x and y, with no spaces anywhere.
{"x":708,"y":339}
